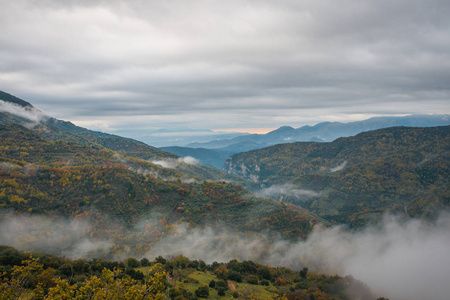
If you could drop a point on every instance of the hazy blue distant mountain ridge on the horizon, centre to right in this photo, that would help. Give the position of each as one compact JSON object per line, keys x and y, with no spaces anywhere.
{"x":218,"y":150}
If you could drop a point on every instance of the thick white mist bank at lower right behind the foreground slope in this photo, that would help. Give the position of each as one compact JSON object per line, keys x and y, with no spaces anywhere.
{"x":398,"y":259}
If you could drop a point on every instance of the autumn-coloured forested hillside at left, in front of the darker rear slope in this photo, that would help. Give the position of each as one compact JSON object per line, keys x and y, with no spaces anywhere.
{"x":128,"y":201}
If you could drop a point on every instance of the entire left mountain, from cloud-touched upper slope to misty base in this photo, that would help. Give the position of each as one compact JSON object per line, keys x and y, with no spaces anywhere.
{"x":92,"y":189}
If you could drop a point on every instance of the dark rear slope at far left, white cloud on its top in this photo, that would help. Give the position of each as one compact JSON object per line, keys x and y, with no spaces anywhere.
{"x":16,"y":111}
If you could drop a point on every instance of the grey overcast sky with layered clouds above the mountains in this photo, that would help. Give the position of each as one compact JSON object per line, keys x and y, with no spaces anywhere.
{"x":123,"y":65}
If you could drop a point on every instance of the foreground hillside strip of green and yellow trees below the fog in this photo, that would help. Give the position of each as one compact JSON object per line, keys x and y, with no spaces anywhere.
{"x":44,"y":276}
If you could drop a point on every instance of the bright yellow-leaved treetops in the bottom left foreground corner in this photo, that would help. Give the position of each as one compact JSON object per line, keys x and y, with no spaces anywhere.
{"x":110,"y":285}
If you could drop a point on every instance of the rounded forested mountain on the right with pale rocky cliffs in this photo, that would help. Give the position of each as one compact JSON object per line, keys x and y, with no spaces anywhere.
{"x":356,"y":179}
